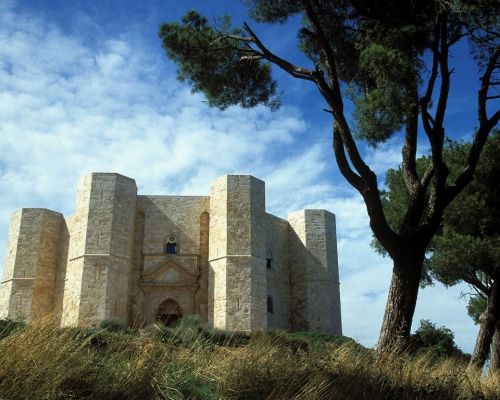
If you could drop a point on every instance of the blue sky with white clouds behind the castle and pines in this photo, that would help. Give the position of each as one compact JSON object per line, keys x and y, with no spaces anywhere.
{"x":85,"y":86}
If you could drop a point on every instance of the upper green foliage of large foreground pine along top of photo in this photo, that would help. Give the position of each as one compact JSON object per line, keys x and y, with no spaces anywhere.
{"x":379,"y":49}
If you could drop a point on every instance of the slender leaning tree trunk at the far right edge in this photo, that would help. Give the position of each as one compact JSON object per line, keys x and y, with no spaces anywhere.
{"x":487,"y":323}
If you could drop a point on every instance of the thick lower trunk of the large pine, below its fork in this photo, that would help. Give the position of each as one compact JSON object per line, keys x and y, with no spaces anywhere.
{"x":401,"y":300}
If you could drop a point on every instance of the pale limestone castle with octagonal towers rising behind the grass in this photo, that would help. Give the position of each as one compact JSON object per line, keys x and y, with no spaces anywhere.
{"x":142,"y":258}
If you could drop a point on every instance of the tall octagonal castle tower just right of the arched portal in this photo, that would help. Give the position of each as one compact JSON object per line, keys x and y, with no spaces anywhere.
{"x":237,"y":275}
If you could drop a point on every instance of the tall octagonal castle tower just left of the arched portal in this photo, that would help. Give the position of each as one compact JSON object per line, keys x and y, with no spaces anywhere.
{"x":100,"y":252}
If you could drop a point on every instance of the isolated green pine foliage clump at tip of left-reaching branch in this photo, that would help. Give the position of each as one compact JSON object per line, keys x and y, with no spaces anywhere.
{"x":215,"y":66}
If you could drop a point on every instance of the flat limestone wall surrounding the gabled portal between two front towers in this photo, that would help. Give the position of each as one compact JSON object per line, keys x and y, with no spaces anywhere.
{"x":186,"y":219}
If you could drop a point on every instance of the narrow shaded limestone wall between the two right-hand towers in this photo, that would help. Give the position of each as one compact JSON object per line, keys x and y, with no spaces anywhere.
{"x":278,"y":275}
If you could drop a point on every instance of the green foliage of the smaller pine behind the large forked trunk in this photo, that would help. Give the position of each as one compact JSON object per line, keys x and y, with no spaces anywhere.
{"x":467,"y":247}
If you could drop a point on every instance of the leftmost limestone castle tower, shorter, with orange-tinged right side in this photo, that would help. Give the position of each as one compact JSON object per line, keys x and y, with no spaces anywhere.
{"x":31,"y":264}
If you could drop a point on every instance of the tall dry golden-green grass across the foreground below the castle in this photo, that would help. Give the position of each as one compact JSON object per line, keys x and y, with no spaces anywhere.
{"x":191,"y":361}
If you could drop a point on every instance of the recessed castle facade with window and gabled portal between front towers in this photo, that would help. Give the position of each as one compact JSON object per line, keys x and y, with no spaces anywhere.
{"x":171,"y":223}
